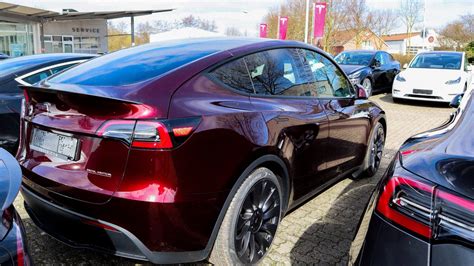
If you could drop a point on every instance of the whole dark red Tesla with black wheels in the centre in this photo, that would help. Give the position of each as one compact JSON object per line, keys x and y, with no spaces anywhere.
{"x":193,"y":149}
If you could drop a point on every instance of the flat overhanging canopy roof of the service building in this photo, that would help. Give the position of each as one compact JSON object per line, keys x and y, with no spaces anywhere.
{"x":47,"y":15}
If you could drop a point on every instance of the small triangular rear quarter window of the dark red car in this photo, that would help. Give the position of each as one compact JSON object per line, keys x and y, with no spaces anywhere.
{"x":234,"y":75}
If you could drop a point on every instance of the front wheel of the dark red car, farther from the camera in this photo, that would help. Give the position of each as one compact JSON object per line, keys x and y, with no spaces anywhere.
{"x":374,"y":153}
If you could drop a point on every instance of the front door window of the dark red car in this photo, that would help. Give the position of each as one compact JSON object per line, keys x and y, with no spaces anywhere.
{"x":329,"y":81}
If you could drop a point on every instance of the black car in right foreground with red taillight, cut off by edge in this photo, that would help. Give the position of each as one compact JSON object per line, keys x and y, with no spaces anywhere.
{"x":422,"y":211}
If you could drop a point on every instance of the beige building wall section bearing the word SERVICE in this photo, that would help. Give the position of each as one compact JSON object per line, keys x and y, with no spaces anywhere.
{"x":88,"y":36}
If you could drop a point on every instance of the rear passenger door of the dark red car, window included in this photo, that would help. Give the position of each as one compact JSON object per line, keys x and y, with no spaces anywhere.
{"x":297,"y":123}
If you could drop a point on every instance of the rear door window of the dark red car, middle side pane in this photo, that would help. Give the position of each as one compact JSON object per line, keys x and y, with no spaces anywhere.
{"x":279,"y":72}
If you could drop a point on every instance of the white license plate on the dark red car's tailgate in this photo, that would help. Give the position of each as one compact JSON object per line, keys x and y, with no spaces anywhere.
{"x":61,"y":146}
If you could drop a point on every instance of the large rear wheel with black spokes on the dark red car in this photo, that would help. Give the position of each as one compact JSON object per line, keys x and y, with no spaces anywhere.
{"x":251,"y":221}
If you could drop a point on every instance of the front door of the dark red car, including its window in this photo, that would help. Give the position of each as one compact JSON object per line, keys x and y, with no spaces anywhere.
{"x":349,"y":123}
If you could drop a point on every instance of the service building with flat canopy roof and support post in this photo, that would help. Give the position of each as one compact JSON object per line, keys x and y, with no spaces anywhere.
{"x":27,"y":30}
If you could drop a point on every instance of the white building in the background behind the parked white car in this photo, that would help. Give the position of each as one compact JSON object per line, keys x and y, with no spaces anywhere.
{"x":403,"y":43}
